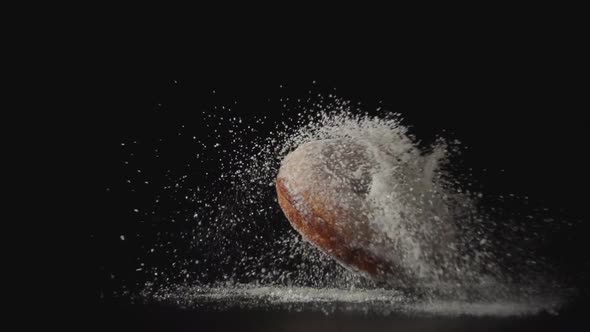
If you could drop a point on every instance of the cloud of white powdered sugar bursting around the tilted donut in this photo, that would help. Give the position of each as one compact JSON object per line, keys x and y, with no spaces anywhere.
{"x":232,"y":245}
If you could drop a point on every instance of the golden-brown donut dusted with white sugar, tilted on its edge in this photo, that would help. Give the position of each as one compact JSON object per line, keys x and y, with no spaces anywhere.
{"x":322,"y":188}
